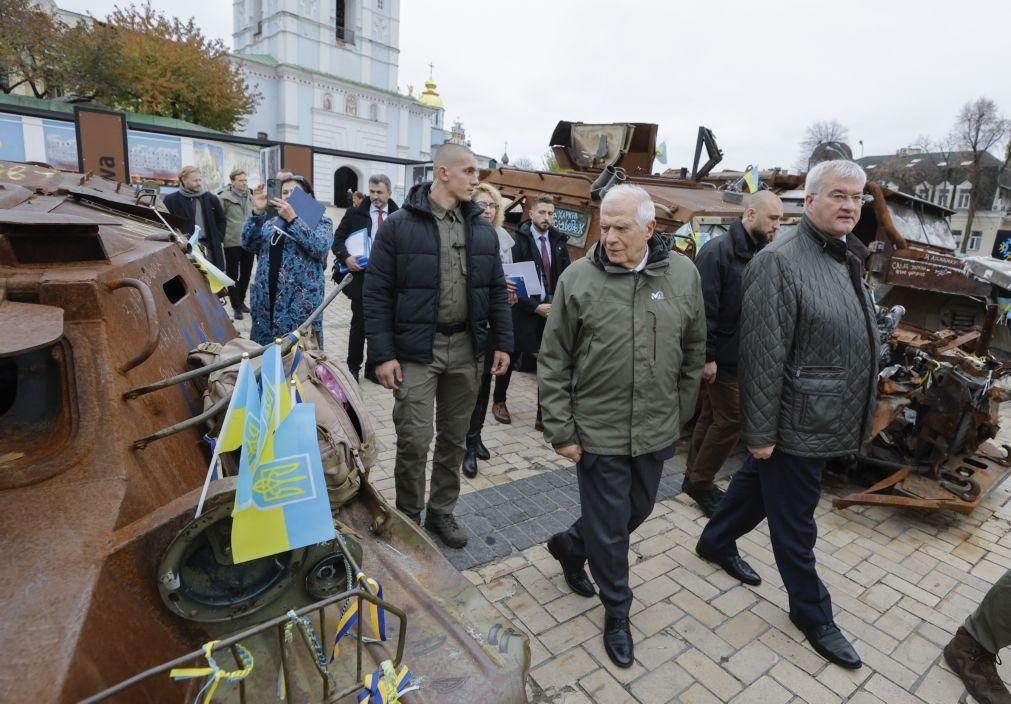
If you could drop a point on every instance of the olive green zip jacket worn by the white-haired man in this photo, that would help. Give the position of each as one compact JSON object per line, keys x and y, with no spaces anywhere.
{"x":622,"y":355}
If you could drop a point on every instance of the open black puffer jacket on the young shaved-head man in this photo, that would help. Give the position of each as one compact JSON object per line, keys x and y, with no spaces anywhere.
{"x":402,"y":290}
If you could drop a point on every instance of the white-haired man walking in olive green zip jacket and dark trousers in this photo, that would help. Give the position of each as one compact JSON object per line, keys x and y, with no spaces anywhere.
{"x":619,"y":372}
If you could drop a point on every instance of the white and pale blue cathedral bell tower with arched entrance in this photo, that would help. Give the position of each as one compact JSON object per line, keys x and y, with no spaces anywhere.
{"x":328,"y":74}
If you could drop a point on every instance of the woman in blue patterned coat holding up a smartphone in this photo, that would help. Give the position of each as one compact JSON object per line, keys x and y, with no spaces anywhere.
{"x":292,"y":265}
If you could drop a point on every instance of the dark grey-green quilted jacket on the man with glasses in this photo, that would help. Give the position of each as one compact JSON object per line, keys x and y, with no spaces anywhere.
{"x":808,"y":368}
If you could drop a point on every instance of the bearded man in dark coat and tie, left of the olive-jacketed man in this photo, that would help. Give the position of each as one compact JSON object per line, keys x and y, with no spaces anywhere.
{"x":536,"y":241}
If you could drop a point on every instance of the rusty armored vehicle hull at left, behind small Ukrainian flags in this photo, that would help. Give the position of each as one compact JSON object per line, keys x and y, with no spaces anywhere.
{"x":99,"y":487}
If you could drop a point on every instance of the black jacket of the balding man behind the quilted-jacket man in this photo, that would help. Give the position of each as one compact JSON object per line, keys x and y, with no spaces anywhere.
{"x":721,"y":265}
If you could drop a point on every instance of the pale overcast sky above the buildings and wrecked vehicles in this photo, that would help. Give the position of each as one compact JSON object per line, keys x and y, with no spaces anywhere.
{"x":756,"y":73}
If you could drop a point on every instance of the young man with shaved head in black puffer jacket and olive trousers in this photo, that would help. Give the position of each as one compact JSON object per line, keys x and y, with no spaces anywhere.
{"x":434,"y":295}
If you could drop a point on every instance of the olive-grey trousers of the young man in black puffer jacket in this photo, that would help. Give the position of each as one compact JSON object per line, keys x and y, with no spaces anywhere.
{"x":446,"y":390}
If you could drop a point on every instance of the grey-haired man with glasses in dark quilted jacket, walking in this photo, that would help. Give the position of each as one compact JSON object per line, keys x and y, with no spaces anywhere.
{"x":808,"y":373}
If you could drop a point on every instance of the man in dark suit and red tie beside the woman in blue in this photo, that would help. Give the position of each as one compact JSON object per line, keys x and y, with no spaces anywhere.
{"x":369,"y":216}
